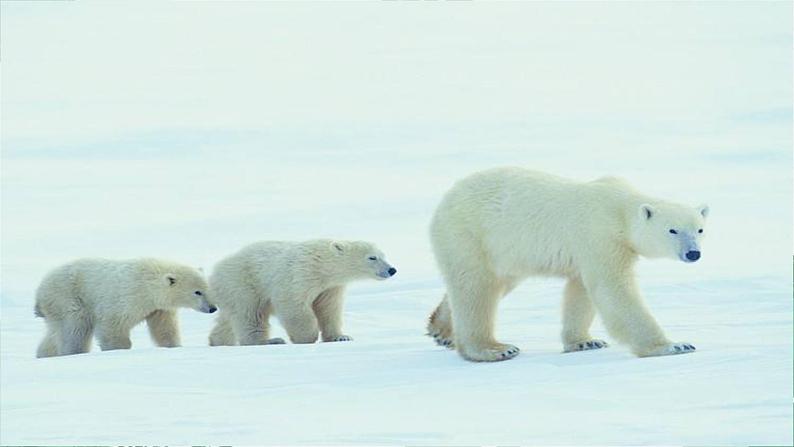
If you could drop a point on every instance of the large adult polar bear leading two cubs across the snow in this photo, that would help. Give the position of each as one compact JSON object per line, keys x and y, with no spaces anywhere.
{"x":497,"y":227}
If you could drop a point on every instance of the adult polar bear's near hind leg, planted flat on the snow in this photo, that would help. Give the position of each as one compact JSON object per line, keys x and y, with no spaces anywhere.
{"x":473,"y":298}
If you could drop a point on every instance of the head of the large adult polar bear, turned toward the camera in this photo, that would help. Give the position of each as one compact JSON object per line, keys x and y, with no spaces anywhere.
{"x":667,"y":230}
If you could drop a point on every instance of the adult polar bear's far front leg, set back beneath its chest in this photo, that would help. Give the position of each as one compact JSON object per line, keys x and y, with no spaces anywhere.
{"x":577,"y":316}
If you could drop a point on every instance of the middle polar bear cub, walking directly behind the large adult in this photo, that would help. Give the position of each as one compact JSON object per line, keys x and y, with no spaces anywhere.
{"x":301,"y":283}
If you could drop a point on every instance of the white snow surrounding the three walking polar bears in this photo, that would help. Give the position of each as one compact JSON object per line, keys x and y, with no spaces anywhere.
{"x":221,"y":125}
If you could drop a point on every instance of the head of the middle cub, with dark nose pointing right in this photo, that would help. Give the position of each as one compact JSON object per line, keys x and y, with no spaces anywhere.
{"x":361,"y":260}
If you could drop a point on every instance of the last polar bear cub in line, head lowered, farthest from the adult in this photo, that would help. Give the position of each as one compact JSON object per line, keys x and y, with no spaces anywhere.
{"x":110,"y":297}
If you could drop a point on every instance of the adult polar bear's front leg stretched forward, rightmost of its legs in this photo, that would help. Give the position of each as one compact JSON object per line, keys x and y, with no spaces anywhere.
{"x":617,"y":298}
